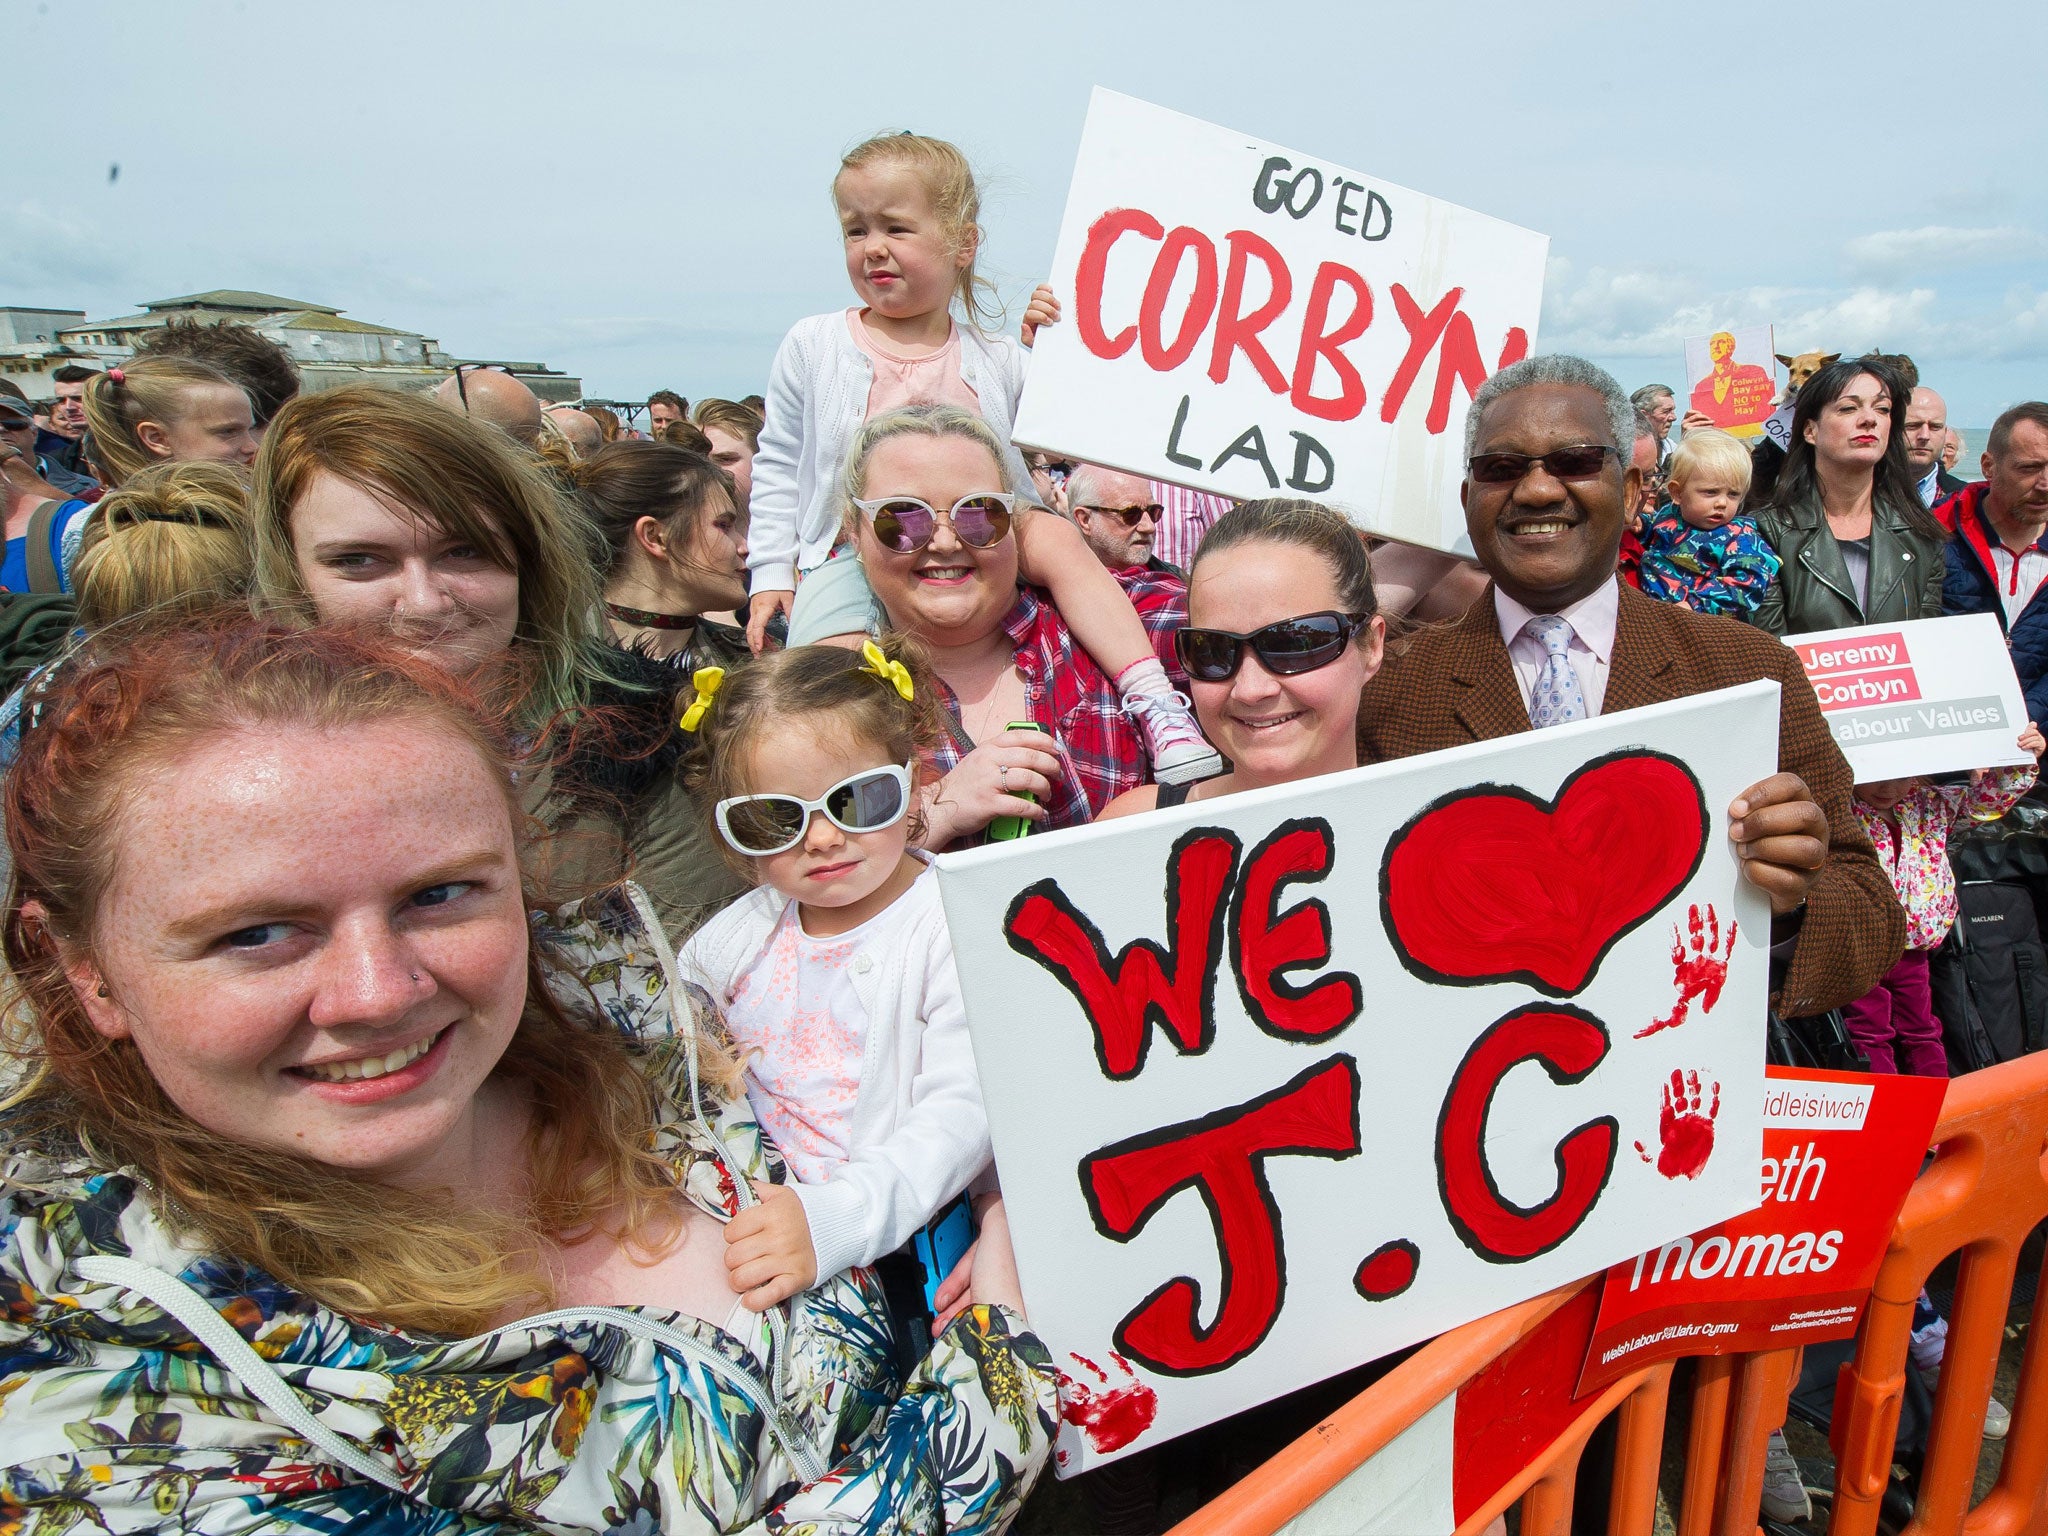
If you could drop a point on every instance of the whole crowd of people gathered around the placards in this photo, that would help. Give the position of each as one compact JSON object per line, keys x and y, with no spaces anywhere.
{"x":486,"y":1046}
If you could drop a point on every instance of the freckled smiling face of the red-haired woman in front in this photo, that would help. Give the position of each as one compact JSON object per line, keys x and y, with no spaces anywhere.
{"x":316,"y":939}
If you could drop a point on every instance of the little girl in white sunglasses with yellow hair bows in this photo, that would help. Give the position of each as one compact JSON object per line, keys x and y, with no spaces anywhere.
{"x":837,"y":976}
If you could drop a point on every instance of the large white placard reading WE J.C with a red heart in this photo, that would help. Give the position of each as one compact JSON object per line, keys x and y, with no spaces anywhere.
{"x":1293,"y":1078}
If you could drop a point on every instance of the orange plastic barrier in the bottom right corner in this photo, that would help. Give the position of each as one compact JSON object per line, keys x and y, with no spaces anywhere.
{"x":1983,"y":1193}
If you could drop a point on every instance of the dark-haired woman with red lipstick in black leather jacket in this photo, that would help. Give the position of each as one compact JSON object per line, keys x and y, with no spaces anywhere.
{"x":1846,"y":521}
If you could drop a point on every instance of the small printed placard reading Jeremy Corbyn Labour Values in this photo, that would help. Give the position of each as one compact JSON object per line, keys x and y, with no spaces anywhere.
{"x":1926,"y":697}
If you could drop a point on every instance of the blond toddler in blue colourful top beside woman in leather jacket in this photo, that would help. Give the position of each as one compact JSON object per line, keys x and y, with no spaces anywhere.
{"x":1701,"y":550}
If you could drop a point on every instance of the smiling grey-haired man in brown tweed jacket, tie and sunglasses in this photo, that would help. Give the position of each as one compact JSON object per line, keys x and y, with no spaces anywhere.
{"x":1562,"y":638}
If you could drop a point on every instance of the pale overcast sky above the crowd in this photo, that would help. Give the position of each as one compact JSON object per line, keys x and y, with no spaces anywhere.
{"x":638,"y":194}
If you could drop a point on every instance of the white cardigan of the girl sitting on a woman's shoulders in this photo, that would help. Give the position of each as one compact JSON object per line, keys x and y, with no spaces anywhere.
{"x":818,"y":396}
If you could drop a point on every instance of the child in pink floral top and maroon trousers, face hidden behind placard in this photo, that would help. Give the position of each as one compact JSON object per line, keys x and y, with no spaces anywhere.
{"x":1910,"y":820}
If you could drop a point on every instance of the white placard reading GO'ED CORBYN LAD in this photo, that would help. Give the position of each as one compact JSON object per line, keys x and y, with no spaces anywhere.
{"x":1261,"y":323}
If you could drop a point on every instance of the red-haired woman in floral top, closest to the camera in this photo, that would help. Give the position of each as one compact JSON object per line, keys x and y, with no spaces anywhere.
{"x":361,"y":1201}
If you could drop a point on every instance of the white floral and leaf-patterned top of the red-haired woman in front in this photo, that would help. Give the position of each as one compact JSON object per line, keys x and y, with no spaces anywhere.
{"x":116,"y":1418}
